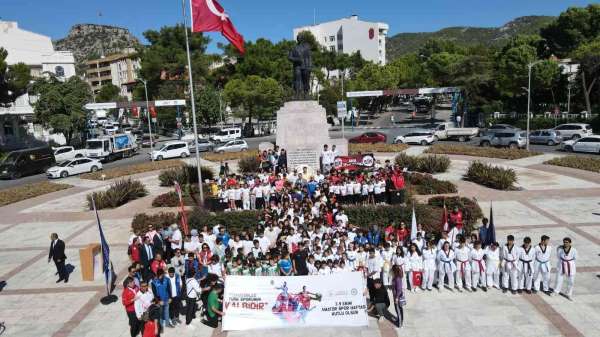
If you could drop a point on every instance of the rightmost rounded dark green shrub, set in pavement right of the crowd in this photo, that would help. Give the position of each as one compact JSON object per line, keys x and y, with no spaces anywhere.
{"x":491,"y":176}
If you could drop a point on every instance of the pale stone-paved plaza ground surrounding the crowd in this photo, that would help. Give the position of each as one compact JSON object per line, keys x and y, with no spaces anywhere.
{"x":554,"y":201}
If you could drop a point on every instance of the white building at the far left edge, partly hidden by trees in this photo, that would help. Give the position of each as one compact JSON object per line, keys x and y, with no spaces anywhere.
{"x":36,"y":51}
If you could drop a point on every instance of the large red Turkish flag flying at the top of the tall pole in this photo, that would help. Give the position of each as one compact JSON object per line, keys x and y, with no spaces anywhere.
{"x":209,"y":16}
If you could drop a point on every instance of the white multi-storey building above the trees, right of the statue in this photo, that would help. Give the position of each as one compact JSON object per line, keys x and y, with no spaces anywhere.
{"x":349,"y":35}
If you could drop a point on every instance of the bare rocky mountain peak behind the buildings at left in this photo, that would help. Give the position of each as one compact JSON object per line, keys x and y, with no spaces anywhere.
{"x":88,"y":41}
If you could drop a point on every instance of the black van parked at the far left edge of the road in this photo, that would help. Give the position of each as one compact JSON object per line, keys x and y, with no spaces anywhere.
{"x":26,"y":162}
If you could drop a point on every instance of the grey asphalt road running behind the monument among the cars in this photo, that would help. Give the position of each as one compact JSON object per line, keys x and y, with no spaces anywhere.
{"x":253,"y":143}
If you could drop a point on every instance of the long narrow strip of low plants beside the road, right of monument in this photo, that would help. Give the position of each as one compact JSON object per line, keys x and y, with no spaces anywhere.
{"x":489,"y":152}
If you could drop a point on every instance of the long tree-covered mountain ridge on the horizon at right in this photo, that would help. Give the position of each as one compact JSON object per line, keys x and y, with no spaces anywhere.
{"x":411,"y":42}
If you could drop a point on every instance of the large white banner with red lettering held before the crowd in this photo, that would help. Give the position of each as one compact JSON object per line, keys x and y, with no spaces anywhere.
{"x":260,"y":302}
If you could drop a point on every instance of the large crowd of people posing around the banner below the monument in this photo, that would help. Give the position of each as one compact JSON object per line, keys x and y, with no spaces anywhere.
{"x":303,"y":230}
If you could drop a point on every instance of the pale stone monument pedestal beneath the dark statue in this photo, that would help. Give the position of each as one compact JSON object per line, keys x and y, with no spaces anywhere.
{"x":302,"y":130}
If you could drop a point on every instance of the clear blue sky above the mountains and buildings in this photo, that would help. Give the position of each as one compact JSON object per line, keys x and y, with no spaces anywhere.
{"x":274,"y":19}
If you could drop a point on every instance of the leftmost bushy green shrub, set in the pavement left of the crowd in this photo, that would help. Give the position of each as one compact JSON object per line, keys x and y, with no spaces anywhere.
{"x":119,"y":193}
